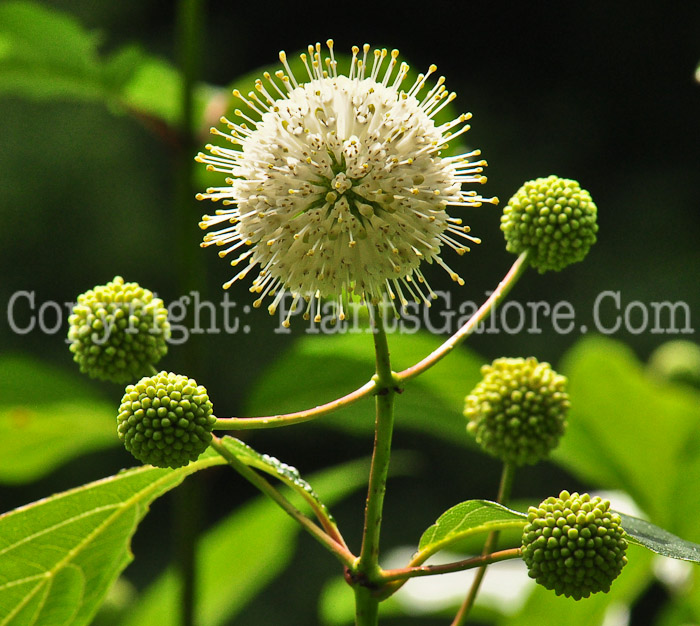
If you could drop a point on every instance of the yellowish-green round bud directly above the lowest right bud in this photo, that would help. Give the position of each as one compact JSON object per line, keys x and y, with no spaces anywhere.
{"x":518,"y":411}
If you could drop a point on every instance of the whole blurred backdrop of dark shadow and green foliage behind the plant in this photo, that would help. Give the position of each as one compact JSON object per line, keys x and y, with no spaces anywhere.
{"x":90,"y":112}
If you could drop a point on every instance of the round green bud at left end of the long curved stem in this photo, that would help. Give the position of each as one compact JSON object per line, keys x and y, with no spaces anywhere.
{"x":165,"y":420}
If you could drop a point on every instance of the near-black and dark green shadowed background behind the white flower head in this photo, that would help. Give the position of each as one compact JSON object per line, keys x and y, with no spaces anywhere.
{"x":601,"y":92}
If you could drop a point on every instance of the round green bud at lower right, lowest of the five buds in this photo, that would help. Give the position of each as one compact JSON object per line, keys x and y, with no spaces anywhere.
{"x":574,"y":545}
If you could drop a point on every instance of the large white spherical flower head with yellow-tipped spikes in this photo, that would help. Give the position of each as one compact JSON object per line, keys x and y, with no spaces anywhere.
{"x":338,"y":186}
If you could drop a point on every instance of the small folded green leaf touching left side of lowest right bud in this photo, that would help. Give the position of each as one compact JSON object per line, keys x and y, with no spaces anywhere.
{"x":466,"y":519}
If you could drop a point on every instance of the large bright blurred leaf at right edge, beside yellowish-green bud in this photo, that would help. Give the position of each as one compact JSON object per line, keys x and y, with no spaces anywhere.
{"x":627,"y":431}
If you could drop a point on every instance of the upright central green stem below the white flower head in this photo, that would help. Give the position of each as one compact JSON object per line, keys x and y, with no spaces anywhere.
{"x":367,"y":567}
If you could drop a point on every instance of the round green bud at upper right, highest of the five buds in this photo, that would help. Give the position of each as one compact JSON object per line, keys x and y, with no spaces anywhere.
{"x":553,"y":218}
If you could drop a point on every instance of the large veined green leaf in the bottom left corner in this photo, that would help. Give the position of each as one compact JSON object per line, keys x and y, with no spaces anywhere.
{"x":59,"y":556}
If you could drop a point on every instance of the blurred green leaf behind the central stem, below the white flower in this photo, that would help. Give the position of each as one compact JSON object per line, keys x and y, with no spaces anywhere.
{"x":431,"y":403}
